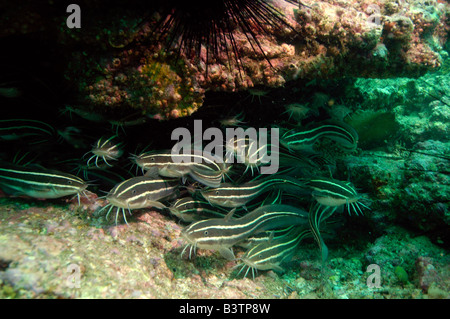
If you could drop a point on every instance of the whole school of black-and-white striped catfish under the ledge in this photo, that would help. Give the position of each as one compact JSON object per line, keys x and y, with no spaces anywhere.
{"x":222,"y":202}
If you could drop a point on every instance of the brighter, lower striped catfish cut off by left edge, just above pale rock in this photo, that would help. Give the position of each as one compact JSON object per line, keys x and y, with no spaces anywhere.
{"x":39,"y":182}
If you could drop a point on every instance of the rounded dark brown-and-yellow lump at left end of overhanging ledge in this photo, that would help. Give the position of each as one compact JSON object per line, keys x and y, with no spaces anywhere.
{"x":154,"y":84}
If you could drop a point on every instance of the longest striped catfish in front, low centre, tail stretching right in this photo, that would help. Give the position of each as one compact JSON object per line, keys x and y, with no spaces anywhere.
{"x":223,"y":233}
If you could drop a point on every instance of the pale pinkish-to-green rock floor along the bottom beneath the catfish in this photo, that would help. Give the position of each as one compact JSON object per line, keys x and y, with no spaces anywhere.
{"x":57,"y":250}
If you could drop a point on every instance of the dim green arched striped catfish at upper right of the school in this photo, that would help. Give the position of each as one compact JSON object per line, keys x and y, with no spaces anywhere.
{"x":340,"y":132}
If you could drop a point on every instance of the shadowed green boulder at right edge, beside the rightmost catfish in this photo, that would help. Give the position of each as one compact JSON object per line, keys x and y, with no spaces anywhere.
{"x":411,"y":188}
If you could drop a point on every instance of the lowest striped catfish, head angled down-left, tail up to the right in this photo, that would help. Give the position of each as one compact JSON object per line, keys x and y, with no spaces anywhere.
{"x":274,"y":251}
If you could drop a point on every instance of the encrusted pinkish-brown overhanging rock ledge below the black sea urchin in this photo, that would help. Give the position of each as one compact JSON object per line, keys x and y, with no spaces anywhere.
{"x":327,"y":39}
